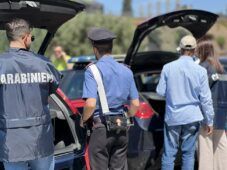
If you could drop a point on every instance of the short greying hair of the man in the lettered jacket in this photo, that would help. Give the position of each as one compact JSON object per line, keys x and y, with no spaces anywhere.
{"x":17,"y":28}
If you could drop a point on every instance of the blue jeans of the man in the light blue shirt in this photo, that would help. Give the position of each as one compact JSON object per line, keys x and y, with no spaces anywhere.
{"x":183,"y":137}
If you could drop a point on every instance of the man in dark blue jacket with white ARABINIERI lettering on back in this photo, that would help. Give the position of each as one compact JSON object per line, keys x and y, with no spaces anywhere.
{"x":26,"y":81}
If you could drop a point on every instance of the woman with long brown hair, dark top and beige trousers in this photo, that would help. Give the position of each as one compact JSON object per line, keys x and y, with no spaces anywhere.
{"x":212,"y":148}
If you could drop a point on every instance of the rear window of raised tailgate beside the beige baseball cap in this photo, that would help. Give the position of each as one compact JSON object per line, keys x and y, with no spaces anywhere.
{"x":163,"y":39}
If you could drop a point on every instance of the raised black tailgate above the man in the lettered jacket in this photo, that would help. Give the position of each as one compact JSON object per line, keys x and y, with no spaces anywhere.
{"x":43,"y":14}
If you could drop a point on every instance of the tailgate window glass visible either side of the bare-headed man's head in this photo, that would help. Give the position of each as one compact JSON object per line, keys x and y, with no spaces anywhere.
{"x":39,"y":37}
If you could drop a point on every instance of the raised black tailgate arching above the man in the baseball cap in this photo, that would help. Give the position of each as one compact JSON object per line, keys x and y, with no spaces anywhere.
{"x":197,"y":22}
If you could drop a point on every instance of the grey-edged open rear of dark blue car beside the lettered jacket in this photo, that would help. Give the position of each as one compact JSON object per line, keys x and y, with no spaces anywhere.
{"x":68,"y":151}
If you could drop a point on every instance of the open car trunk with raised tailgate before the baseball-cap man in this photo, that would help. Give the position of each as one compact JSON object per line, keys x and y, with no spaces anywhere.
{"x":147,"y":66}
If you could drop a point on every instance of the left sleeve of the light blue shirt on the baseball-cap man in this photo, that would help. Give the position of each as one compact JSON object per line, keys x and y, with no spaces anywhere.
{"x":161,"y":87}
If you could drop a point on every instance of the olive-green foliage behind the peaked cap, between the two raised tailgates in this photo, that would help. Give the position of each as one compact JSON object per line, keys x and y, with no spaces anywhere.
{"x":73,"y":35}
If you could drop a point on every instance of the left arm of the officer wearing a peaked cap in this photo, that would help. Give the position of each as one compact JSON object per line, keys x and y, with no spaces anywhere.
{"x":90,"y":90}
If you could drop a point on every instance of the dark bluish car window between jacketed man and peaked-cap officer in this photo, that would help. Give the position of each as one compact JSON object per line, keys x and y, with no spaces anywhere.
{"x":72,"y":84}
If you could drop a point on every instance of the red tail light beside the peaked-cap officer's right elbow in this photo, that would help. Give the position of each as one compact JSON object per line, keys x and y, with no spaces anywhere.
{"x":145,"y":111}
